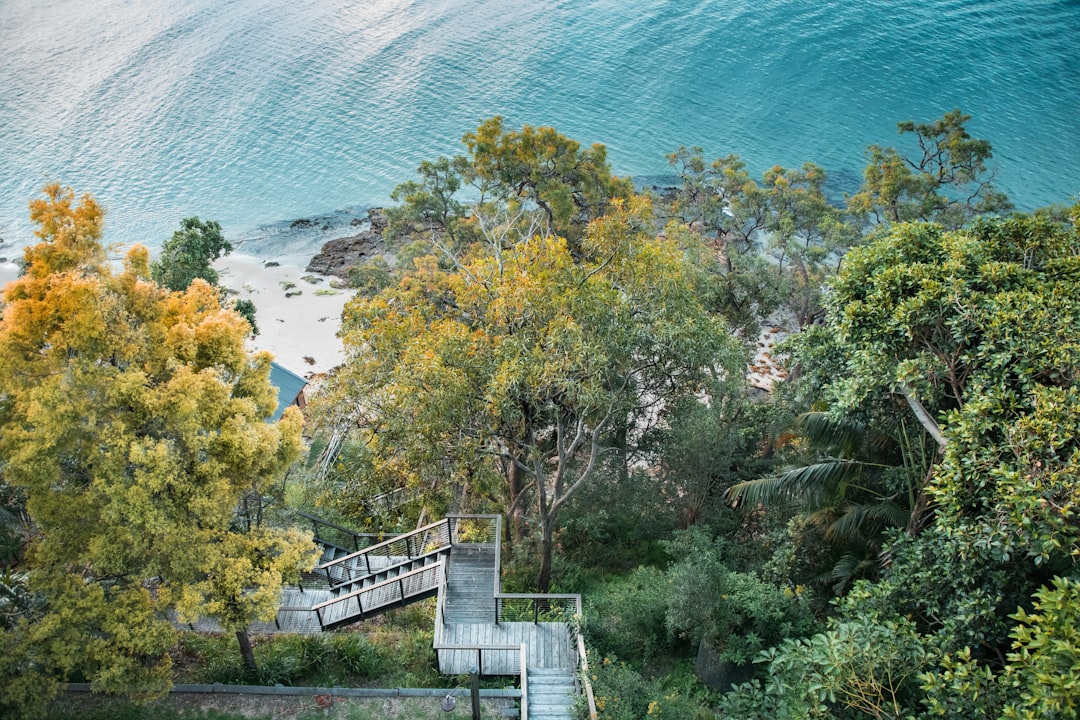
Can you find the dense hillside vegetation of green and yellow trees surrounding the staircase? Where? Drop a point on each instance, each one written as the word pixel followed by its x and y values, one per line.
pixel 889 534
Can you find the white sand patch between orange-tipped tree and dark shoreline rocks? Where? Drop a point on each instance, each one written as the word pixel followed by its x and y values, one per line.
pixel 300 331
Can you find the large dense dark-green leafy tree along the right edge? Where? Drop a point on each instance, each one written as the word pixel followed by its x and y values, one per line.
pixel 978 331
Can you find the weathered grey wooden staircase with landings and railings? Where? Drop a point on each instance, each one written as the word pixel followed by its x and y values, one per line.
pixel 478 628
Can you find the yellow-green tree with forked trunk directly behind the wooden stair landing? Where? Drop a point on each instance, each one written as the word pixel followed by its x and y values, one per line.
pixel 518 366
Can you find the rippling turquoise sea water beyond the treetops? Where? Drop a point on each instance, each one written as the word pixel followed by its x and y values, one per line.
pixel 258 113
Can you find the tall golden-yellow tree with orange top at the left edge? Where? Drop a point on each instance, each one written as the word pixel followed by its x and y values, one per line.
pixel 133 420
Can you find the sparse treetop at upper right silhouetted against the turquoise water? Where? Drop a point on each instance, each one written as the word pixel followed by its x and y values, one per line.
pixel 946 182
